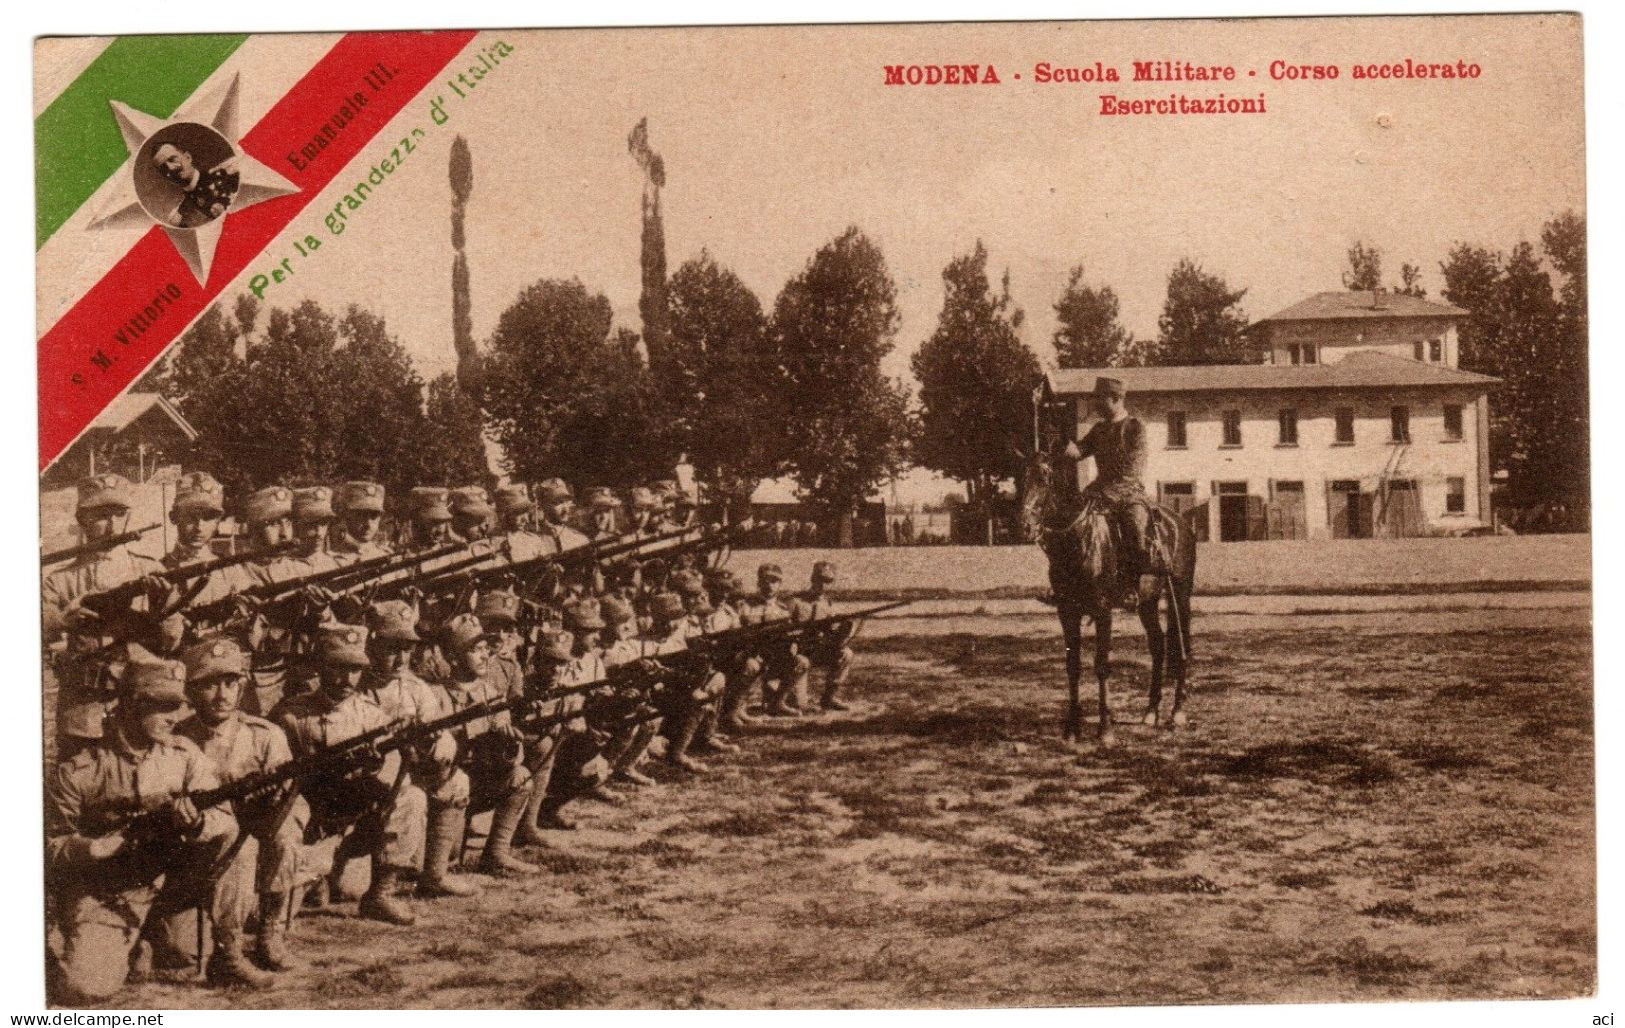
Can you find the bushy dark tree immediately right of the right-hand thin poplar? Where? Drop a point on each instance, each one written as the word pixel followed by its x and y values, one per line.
pixel 717 381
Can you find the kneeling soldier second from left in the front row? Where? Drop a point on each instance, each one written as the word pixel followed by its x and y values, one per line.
pixel 256 891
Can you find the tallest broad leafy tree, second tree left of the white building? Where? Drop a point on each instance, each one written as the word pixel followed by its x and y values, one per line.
pixel 846 425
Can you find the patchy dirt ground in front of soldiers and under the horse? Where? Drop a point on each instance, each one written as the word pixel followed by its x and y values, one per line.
pixel 1356 813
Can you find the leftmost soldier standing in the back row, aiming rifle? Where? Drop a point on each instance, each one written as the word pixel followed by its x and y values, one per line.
pixel 85 667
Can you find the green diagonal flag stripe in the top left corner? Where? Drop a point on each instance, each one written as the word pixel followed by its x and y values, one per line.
pixel 77 144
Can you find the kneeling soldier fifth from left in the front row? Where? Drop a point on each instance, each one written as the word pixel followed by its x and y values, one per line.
pixel 492 749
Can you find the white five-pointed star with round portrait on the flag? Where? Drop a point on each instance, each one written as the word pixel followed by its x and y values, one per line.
pixel 188 175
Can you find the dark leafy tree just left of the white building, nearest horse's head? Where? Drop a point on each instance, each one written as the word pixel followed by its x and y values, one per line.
pixel 976 384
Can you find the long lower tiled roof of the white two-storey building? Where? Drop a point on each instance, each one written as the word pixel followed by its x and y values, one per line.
pixel 1363 369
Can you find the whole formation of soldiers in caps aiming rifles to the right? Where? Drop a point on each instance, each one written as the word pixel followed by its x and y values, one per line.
pixel 495 673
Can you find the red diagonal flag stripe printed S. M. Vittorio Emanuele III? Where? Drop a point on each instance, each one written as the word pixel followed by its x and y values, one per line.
pixel 66 408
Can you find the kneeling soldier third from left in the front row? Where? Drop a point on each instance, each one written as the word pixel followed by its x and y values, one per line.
pixel 378 805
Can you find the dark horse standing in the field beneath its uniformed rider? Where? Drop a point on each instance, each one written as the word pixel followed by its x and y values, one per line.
pixel 1083 551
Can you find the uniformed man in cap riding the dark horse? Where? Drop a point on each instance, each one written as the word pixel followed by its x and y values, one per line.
pixel 1117 443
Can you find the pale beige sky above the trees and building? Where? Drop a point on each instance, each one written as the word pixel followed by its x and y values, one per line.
pixel 776 140
